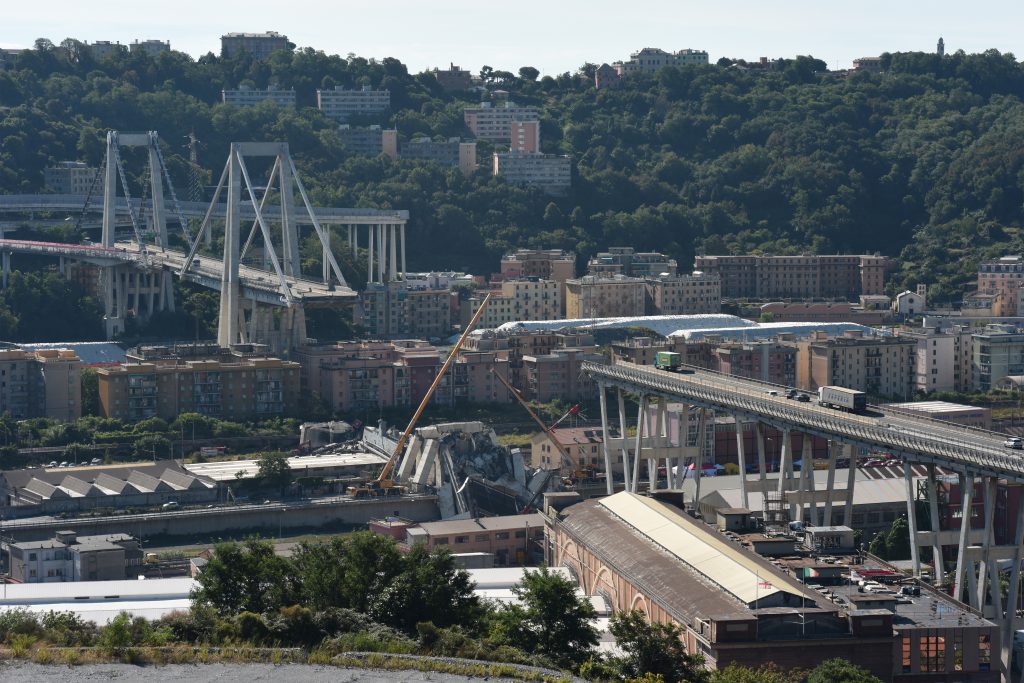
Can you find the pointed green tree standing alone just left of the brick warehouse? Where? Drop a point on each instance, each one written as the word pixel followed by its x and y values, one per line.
pixel 552 621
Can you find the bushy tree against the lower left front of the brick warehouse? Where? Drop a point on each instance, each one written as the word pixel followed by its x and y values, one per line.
pixel 654 650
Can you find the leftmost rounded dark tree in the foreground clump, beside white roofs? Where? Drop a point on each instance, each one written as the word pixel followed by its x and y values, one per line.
pixel 245 577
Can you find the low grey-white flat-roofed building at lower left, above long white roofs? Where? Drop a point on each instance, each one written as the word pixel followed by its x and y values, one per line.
pixel 70 558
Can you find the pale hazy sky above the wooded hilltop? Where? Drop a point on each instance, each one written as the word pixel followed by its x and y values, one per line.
pixel 554 36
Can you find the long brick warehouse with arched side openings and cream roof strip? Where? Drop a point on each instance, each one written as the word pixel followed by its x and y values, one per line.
pixel 737 608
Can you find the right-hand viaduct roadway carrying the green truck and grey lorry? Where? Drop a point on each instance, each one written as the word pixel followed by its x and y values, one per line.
pixel 973 451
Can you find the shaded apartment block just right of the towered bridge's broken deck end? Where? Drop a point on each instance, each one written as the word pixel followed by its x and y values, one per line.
pixel 397 310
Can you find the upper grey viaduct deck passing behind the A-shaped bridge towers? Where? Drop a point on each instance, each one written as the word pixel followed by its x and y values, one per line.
pixel 75 203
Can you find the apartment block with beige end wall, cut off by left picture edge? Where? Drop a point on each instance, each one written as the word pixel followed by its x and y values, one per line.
pixel 46 383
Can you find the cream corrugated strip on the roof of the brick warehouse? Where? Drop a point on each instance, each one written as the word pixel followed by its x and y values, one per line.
pixel 721 562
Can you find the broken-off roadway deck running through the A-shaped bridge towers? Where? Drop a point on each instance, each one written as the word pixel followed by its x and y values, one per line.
pixel 258 285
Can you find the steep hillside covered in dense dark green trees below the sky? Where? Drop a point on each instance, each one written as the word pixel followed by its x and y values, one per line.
pixel 922 161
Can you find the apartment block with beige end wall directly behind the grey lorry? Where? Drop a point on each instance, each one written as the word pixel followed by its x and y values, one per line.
pixel 880 366
